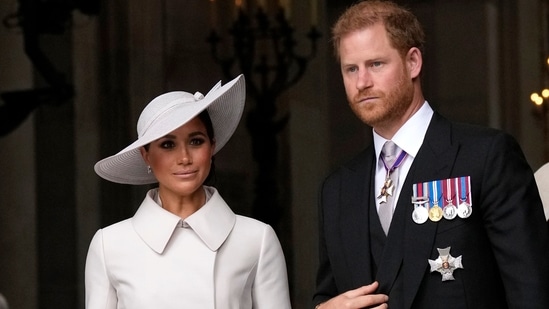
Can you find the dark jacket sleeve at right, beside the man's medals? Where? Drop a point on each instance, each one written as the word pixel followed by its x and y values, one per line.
pixel 515 223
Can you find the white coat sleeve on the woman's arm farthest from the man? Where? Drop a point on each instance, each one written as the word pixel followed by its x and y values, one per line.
pixel 100 294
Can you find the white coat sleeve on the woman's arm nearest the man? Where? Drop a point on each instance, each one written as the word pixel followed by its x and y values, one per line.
pixel 270 287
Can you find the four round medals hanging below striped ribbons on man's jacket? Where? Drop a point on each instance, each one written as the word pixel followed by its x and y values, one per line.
pixel 435 213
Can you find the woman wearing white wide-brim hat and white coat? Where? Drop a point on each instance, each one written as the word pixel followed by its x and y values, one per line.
pixel 184 247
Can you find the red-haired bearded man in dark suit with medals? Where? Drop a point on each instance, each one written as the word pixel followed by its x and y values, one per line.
pixel 455 221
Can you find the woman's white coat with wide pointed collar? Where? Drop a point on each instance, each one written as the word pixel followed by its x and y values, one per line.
pixel 212 259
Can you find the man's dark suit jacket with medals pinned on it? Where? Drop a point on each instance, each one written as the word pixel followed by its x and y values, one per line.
pixel 504 244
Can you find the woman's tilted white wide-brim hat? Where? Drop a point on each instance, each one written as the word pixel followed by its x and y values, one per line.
pixel 167 112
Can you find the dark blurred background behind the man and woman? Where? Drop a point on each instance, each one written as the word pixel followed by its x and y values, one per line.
pixel 75 75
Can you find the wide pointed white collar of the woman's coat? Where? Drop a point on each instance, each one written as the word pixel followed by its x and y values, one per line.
pixel 213 222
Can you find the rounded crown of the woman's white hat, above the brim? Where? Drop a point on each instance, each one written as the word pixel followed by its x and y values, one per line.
pixel 161 105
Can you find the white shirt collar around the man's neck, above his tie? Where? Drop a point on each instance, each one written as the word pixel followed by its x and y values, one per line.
pixel 410 136
